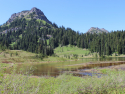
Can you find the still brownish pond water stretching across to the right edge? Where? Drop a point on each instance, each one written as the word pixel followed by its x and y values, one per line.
pixel 56 68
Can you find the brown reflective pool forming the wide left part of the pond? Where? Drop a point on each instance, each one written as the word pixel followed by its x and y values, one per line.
pixel 34 69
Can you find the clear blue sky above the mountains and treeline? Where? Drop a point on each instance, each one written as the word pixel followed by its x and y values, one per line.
pixel 80 15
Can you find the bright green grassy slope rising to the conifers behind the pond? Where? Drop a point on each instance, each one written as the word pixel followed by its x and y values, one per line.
pixel 65 51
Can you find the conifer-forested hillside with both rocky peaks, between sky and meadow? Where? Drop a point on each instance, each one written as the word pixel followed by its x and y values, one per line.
pixel 31 31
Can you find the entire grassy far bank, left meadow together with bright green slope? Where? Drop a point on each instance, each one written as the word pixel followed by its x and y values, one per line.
pixel 61 52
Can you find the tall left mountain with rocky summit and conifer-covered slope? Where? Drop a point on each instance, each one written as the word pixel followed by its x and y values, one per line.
pixel 29 31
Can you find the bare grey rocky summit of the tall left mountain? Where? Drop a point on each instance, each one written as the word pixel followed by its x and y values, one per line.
pixel 34 12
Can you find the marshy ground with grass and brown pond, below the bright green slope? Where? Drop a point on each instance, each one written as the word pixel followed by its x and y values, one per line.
pixel 18 67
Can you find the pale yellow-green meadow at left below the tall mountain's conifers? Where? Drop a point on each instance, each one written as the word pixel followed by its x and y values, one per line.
pixel 18 56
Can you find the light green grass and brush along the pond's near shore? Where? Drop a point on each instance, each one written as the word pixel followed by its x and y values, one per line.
pixel 114 83
